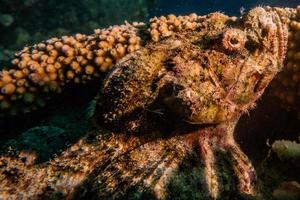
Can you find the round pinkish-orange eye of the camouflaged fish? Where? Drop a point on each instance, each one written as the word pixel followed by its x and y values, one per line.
pixel 234 39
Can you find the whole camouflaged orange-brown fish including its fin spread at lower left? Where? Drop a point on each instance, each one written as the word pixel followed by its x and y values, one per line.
pixel 209 74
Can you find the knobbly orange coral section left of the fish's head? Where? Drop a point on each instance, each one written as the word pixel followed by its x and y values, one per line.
pixel 50 65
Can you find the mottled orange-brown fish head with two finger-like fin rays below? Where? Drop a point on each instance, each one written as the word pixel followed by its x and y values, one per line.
pixel 210 76
